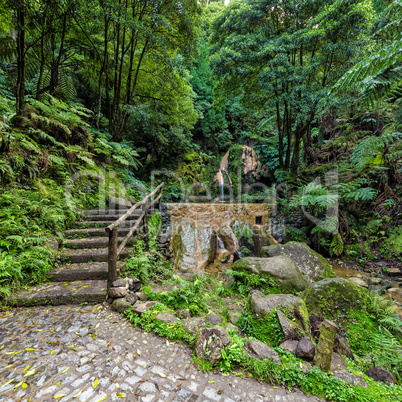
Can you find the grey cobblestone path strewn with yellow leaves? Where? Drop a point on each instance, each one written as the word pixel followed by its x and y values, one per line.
pixel 89 353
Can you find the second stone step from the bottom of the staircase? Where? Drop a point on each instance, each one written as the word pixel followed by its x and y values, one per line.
pixel 82 272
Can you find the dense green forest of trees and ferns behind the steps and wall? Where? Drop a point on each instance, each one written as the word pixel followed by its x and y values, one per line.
pixel 134 86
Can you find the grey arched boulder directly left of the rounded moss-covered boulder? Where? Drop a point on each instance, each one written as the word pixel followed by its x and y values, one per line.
pixel 290 305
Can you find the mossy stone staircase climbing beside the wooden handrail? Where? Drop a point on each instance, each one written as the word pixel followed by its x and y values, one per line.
pixel 81 275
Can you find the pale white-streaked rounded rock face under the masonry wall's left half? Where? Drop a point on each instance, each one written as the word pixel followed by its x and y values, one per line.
pixel 194 247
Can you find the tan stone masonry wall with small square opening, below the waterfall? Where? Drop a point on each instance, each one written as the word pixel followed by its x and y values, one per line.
pixel 215 215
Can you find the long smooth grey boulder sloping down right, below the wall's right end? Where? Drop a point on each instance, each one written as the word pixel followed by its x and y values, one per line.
pixel 281 269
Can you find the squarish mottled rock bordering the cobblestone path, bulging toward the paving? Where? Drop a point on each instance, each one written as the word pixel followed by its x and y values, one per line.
pixel 209 345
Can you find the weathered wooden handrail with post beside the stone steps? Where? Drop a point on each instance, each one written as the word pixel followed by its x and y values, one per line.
pixel 113 229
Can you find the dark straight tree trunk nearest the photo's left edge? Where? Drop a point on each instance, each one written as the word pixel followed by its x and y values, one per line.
pixel 20 92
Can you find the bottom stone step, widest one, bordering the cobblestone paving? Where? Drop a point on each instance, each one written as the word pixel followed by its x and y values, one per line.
pixel 57 293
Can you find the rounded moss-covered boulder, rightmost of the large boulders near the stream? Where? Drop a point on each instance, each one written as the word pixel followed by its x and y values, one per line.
pixel 334 297
